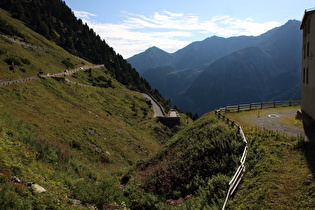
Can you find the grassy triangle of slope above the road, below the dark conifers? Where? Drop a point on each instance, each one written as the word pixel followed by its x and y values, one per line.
pixel 49 60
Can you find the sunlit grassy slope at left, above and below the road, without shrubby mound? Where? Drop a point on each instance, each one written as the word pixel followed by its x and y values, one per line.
pixel 74 141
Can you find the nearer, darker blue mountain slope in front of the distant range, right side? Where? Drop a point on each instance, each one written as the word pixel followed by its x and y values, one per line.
pixel 259 73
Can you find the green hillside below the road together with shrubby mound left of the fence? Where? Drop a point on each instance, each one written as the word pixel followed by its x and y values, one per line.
pixel 62 143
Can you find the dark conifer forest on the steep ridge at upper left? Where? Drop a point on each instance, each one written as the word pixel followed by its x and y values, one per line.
pixel 55 20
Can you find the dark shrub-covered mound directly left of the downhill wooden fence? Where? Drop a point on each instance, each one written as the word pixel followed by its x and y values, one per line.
pixel 193 169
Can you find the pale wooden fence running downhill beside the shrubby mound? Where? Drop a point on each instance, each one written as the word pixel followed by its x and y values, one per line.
pixel 236 179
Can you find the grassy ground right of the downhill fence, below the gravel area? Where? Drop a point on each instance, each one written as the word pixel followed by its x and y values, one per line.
pixel 279 170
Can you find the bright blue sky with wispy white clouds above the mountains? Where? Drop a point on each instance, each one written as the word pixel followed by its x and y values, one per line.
pixel 132 26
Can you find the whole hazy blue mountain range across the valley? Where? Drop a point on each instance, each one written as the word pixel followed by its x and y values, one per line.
pixel 224 71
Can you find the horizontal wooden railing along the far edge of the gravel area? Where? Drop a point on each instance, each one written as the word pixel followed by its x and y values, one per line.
pixel 260 105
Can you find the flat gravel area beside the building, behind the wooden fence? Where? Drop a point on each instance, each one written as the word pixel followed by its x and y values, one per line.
pixel 281 120
